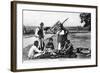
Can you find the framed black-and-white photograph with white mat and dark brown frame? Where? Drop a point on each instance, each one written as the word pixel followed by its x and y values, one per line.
pixel 49 36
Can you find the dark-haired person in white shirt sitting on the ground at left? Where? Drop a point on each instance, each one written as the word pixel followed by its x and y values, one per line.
pixel 34 51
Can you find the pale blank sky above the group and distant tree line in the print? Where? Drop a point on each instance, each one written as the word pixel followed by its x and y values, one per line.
pixel 49 18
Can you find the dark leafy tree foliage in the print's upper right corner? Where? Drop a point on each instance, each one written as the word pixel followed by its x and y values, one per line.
pixel 86 17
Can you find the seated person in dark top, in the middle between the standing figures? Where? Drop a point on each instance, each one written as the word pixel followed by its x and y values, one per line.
pixel 50 47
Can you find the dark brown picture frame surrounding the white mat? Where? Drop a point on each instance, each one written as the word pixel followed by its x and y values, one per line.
pixel 14 35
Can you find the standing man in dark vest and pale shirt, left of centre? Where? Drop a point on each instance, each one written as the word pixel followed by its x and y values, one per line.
pixel 41 36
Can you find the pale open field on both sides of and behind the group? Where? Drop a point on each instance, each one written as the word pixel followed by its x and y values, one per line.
pixel 78 39
